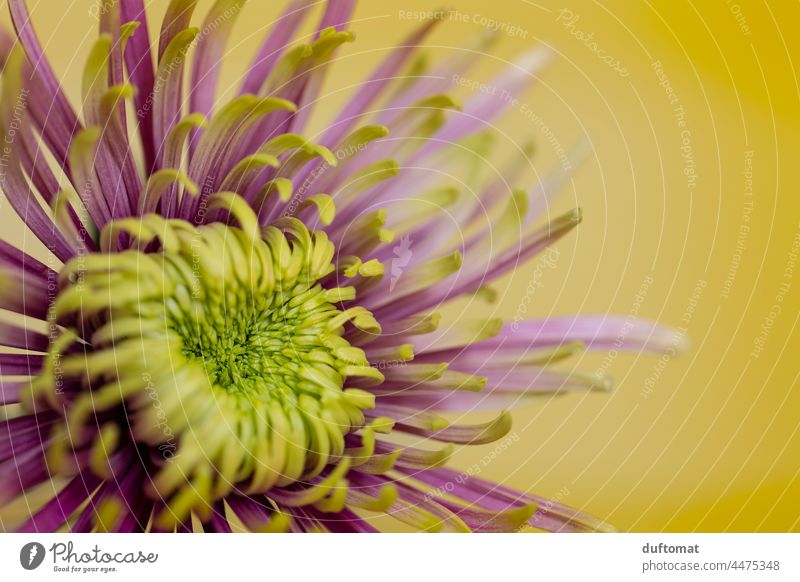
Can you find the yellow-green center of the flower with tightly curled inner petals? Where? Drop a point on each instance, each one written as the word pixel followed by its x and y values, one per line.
pixel 221 348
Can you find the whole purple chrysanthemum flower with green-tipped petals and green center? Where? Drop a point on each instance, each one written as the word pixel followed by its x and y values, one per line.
pixel 237 324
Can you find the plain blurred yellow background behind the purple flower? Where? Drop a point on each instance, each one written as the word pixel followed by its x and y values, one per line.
pixel 691 218
